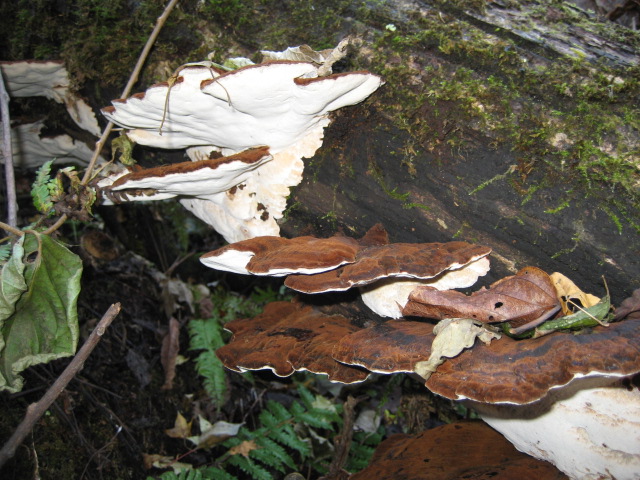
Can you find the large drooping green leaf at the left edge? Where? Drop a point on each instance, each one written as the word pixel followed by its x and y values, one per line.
pixel 44 326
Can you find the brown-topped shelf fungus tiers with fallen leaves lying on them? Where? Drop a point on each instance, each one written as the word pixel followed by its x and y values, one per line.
pixel 557 392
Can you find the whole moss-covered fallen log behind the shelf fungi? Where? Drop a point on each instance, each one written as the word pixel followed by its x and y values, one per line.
pixel 512 124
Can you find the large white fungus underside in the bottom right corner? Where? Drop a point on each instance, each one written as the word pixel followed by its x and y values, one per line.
pixel 589 429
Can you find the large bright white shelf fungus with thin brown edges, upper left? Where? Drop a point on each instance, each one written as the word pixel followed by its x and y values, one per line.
pixel 282 106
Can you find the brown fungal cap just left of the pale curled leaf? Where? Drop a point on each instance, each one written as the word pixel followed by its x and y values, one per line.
pixel 390 347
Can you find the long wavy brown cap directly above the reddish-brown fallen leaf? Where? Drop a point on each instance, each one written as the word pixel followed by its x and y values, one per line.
pixel 406 260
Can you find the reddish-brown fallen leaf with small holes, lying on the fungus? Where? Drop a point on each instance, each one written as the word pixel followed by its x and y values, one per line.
pixel 525 300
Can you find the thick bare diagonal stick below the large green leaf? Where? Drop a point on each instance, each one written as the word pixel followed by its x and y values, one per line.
pixel 36 410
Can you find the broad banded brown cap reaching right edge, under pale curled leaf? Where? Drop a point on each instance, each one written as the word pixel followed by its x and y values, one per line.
pixel 523 371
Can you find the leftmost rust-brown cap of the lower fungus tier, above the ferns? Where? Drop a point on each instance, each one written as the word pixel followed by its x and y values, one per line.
pixel 289 337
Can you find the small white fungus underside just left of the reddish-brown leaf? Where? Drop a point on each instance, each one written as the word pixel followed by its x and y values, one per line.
pixel 388 297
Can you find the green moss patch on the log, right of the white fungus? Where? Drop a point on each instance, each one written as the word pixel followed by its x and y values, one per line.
pixel 569 123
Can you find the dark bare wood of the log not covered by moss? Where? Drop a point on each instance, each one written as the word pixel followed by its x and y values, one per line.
pixel 368 170
